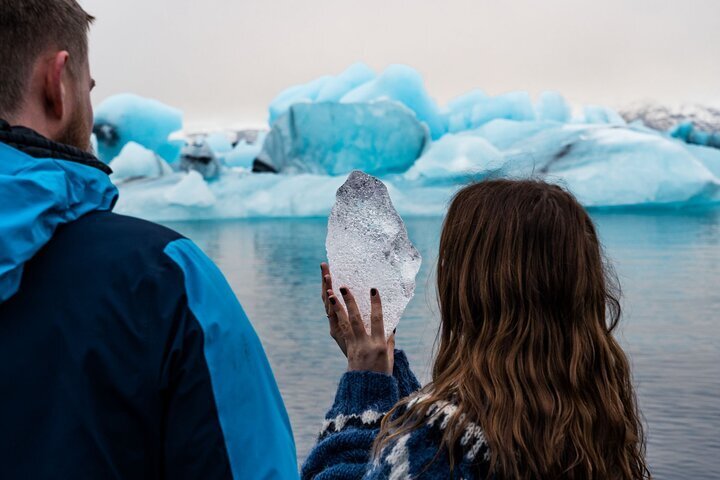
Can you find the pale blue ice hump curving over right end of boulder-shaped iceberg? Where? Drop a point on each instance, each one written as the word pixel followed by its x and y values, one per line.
pixel 405 85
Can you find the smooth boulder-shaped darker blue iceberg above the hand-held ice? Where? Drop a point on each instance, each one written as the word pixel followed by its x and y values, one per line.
pixel 336 138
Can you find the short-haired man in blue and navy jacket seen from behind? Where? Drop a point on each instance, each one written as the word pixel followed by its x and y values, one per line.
pixel 123 351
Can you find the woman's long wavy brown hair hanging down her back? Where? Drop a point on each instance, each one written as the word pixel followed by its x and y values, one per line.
pixel 526 348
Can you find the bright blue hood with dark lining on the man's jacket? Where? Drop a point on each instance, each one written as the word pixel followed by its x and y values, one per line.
pixel 43 185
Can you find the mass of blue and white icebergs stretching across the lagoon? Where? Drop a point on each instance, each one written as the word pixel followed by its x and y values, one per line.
pixel 388 125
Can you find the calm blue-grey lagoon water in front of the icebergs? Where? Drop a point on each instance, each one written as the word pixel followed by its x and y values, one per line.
pixel 668 263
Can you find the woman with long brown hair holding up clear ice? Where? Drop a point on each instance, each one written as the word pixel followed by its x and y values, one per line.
pixel 528 381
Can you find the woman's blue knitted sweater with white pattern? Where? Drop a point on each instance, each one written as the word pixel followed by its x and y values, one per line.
pixel 344 448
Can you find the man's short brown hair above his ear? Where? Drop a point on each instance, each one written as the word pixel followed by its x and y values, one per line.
pixel 28 28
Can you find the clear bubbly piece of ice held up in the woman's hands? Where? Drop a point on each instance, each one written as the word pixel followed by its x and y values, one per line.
pixel 368 247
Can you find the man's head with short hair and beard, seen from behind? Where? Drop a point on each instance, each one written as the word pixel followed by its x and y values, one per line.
pixel 45 80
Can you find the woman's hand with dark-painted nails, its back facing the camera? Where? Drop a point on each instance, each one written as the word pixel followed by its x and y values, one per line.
pixel 364 352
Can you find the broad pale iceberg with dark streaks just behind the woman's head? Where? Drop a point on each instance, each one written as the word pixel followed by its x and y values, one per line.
pixel 611 166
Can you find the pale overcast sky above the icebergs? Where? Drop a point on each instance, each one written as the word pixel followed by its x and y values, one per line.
pixel 224 60
